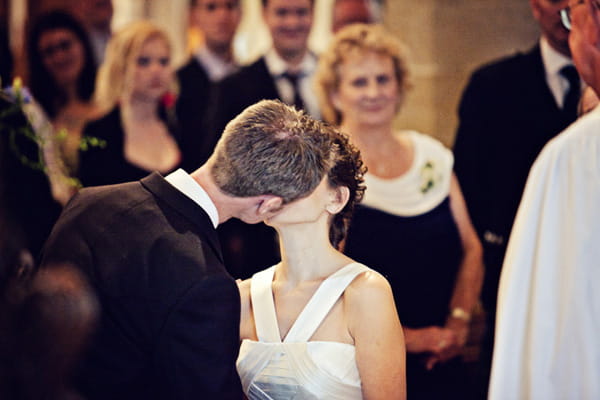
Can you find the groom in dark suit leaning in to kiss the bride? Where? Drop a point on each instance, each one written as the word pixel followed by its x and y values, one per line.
pixel 169 325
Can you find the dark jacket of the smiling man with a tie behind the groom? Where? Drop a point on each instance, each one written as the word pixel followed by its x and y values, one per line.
pixel 247 248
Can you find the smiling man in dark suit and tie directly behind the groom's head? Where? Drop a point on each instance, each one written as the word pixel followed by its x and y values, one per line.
pixel 284 72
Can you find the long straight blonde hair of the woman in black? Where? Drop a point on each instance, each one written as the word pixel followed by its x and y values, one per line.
pixel 122 51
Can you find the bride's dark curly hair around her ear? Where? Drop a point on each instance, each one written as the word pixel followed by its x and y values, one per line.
pixel 347 169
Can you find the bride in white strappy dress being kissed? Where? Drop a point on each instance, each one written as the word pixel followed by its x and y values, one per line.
pixel 319 325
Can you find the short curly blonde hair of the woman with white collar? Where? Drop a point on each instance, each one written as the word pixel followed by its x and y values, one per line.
pixel 348 42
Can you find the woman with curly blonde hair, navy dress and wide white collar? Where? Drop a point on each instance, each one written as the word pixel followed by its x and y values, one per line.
pixel 413 226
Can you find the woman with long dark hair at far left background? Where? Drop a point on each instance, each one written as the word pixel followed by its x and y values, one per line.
pixel 62 74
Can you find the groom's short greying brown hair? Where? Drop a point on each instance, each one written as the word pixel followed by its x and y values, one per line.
pixel 272 148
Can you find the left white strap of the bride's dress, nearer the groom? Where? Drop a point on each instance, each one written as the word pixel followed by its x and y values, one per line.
pixel 263 306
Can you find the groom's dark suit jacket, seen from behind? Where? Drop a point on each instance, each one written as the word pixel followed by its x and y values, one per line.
pixel 169 326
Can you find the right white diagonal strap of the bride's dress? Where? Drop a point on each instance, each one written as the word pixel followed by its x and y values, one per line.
pixel 322 301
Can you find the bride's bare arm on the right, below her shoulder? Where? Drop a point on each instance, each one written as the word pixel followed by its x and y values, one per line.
pixel 375 327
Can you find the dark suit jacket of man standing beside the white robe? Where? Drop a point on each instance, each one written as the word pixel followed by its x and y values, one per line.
pixel 507 114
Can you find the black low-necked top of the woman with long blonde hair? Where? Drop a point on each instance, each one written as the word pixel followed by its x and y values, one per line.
pixel 107 165
